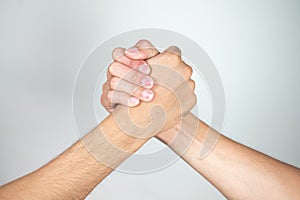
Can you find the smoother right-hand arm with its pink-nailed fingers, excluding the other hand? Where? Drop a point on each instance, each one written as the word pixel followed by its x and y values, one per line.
pixel 237 171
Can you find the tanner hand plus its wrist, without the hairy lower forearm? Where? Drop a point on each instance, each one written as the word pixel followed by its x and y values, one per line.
pixel 174 98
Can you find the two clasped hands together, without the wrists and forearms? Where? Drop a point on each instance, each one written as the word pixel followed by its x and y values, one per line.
pixel 146 91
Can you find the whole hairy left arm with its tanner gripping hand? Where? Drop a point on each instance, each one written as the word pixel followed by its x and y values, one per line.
pixel 75 173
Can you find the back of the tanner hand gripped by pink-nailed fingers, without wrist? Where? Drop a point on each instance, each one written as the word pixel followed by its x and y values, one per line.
pixel 174 98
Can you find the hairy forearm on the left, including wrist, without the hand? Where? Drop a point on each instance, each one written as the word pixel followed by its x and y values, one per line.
pixel 74 173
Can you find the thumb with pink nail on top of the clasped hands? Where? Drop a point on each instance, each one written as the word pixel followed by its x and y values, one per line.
pixel 143 49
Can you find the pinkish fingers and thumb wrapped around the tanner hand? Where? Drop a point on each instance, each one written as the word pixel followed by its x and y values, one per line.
pixel 137 86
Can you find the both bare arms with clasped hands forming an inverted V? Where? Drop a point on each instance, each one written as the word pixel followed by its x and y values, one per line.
pixel 149 94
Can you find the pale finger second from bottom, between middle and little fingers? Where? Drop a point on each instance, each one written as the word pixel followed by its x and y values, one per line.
pixel 121 85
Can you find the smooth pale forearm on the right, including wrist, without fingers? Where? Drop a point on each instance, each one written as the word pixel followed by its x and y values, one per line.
pixel 238 171
